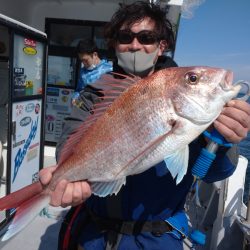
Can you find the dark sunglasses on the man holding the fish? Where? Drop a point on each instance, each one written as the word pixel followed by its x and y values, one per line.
pixel 145 37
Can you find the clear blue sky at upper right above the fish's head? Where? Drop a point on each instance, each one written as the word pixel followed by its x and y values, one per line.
pixel 217 35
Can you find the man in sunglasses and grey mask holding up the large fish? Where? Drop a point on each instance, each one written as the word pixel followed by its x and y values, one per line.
pixel 147 213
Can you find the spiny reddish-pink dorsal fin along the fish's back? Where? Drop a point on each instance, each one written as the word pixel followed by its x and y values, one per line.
pixel 109 88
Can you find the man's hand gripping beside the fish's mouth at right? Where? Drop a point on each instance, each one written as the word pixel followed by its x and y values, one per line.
pixel 234 121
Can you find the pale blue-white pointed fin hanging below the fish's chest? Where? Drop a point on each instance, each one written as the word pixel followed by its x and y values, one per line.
pixel 177 163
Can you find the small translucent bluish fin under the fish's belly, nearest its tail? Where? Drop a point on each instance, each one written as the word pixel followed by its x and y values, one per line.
pixel 103 189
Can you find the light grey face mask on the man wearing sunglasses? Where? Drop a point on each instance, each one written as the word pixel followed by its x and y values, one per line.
pixel 138 63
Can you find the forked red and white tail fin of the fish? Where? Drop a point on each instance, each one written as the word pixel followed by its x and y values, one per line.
pixel 28 201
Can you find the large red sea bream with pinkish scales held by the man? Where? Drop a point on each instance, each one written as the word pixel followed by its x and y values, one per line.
pixel 151 120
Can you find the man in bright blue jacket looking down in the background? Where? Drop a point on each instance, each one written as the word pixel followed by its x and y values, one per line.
pixel 92 66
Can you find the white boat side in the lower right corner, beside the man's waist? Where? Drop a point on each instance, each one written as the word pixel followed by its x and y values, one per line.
pixel 221 213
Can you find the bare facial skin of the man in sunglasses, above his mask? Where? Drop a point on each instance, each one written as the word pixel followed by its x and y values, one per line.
pixel 146 24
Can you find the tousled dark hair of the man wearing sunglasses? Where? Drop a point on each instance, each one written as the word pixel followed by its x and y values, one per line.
pixel 130 14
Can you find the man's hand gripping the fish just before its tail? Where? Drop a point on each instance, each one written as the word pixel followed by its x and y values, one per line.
pixel 65 193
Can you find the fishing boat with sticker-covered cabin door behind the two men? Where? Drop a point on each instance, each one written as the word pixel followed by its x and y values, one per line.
pixel 47 31
